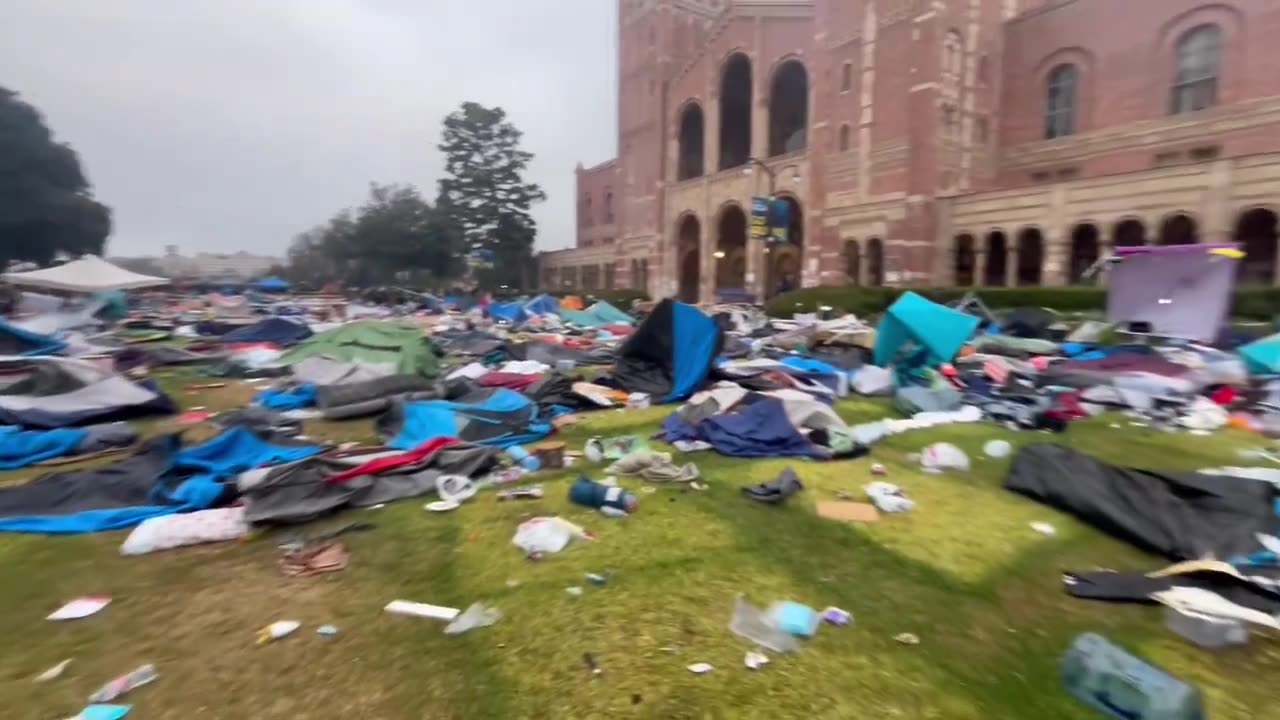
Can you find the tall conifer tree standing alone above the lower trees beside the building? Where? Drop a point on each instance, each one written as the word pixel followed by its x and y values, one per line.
pixel 484 192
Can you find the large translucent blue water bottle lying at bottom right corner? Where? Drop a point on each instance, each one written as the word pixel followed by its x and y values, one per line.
pixel 1114 682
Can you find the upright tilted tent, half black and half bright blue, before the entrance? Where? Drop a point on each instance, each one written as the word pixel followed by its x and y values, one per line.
pixel 671 353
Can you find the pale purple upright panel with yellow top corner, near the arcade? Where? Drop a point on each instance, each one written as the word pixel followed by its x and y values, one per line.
pixel 1176 291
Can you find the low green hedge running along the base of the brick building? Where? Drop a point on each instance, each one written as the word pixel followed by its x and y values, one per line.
pixel 1247 303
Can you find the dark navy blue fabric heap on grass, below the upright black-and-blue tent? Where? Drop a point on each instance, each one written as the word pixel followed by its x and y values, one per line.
pixel 760 430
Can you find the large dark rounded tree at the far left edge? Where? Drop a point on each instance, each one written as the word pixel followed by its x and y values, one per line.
pixel 47 208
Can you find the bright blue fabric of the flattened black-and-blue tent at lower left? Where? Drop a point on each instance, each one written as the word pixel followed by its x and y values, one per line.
pixel 213 464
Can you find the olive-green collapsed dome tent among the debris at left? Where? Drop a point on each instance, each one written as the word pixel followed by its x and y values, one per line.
pixel 373 343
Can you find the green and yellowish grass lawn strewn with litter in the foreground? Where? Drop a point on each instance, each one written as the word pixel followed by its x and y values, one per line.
pixel 964 572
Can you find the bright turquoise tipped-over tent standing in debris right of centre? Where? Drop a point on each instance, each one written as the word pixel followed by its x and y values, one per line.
pixel 936 331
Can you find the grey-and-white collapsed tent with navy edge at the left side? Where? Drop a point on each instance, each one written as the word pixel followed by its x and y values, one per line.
pixel 57 393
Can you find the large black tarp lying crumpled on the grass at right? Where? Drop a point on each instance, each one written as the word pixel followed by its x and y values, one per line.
pixel 1178 516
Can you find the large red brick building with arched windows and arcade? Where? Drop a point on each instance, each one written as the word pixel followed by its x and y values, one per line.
pixel 929 142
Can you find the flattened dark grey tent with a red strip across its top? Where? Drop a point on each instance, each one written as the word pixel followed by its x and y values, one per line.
pixel 304 491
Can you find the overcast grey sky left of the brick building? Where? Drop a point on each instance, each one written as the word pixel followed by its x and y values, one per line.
pixel 235 125
